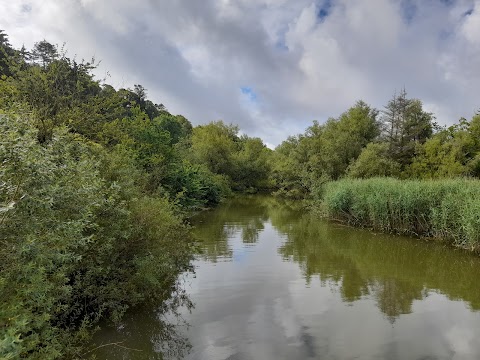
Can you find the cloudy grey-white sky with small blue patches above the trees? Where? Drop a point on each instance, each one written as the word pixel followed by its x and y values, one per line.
pixel 270 66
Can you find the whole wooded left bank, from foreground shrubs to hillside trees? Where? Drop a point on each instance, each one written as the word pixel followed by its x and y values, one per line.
pixel 95 184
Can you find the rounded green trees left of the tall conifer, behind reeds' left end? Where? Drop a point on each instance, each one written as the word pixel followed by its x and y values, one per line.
pixel 324 152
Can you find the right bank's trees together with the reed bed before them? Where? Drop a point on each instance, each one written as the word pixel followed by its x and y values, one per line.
pixel 393 170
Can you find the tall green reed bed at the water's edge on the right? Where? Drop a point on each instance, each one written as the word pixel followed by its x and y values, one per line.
pixel 444 209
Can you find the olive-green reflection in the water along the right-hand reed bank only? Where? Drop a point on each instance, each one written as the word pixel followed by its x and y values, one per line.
pixel 395 271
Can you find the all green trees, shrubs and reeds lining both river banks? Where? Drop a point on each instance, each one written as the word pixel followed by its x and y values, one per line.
pixel 97 184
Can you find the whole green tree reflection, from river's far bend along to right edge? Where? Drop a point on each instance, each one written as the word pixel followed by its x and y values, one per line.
pixel 395 271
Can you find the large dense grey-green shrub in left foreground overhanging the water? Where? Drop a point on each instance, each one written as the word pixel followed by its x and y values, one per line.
pixel 75 248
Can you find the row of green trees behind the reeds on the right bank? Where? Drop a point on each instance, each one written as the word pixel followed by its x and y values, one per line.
pixel 401 141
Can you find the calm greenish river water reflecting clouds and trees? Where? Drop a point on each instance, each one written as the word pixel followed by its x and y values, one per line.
pixel 273 282
